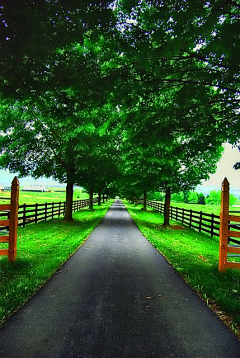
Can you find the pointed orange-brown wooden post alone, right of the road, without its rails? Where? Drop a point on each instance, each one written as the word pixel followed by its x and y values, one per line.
pixel 223 232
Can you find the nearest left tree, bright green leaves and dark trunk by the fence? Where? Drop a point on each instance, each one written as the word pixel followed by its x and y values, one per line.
pixel 64 132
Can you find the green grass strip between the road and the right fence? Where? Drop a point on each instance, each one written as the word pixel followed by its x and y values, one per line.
pixel 195 257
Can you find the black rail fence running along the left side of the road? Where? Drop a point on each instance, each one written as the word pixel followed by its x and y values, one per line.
pixel 33 213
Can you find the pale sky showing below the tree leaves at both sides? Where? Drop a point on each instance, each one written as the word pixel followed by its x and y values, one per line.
pixel 224 169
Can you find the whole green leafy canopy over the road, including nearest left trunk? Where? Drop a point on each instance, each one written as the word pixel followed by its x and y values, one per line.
pixel 130 95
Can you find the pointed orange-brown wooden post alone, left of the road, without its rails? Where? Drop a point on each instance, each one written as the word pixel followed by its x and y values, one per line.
pixel 13 224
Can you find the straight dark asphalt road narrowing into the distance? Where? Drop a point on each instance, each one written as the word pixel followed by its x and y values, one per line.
pixel 116 297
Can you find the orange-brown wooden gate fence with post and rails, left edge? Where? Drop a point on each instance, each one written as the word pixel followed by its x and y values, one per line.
pixel 9 220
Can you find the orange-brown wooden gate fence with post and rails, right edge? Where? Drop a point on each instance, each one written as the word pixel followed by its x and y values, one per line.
pixel 229 243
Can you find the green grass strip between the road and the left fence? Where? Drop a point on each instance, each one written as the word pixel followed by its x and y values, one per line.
pixel 41 249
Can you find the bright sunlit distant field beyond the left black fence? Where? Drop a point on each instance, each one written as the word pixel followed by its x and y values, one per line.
pixel 38 197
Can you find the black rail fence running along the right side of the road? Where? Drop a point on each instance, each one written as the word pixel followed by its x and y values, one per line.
pixel 197 220
